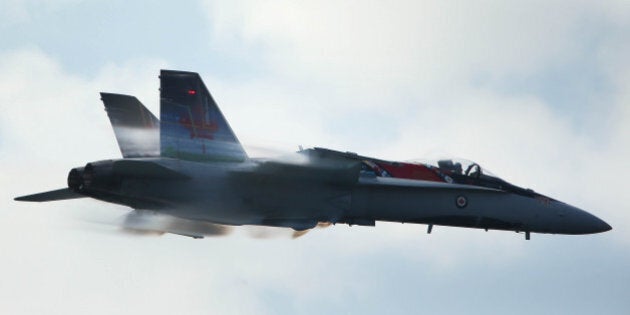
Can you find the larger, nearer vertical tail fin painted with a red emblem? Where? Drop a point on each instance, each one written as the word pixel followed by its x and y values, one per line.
pixel 192 126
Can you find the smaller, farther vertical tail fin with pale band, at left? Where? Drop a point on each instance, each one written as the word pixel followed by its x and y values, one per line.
pixel 135 127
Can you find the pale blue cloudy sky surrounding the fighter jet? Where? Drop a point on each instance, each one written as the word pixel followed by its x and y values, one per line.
pixel 538 92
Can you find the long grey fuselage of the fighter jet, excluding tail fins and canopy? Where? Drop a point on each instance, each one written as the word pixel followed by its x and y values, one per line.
pixel 247 194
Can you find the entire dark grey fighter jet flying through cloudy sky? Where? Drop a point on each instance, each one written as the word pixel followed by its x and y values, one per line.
pixel 190 165
